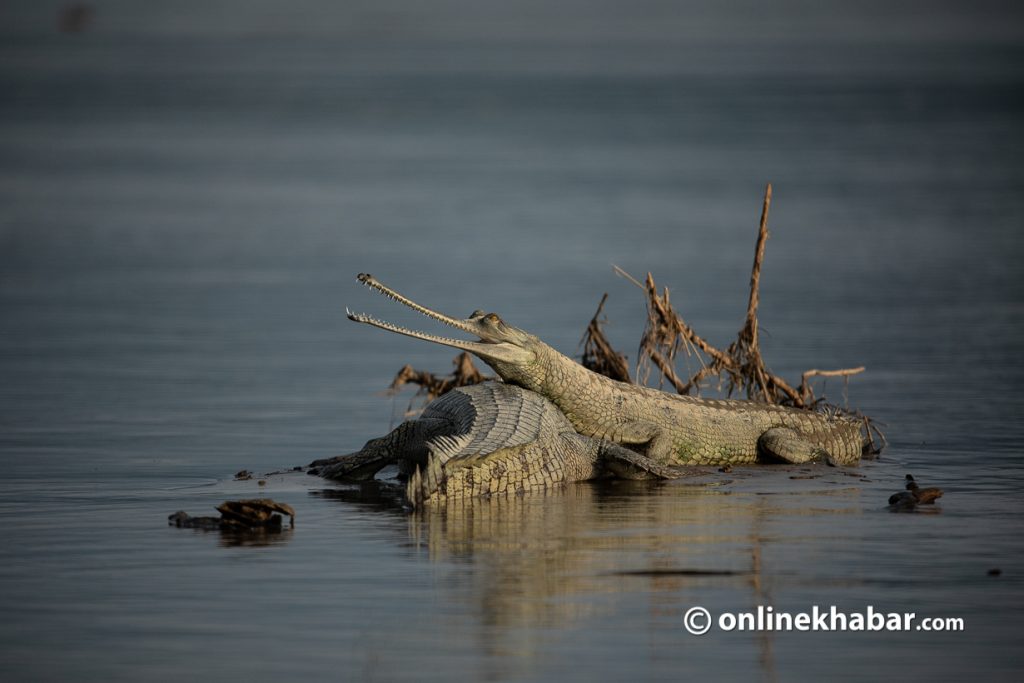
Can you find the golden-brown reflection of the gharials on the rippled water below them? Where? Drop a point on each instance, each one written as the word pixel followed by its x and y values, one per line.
pixel 525 566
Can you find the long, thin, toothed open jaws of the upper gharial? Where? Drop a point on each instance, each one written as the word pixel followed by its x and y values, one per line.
pixel 490 347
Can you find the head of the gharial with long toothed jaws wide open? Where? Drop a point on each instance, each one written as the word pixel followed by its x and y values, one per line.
pixel 506 349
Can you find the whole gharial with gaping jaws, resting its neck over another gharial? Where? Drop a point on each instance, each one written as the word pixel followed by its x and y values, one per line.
pixel 668 429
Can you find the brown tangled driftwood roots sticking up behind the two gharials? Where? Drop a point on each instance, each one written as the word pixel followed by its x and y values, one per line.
pixel 740 370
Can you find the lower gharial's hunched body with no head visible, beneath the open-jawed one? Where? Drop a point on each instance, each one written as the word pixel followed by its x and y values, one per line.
pixel 485 440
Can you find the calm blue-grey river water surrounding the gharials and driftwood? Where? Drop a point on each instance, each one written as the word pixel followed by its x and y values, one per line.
pixel 187 196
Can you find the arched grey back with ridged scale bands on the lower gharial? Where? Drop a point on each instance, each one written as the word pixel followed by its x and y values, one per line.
pixel 491 416
